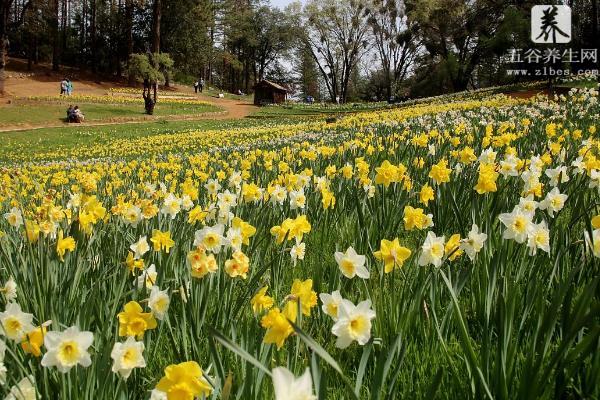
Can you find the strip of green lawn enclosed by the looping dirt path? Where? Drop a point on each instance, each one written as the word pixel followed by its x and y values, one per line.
pixel 28 112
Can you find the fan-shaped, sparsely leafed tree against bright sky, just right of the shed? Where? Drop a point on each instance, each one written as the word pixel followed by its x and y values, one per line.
pixel 336 34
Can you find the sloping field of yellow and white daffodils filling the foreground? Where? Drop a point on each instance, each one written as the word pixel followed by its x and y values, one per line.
pixel 447 249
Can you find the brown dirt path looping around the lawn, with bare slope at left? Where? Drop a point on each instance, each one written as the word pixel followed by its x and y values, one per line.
pixel 43 82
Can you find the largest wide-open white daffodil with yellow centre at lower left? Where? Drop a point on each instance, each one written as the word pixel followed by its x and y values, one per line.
pixel 67 349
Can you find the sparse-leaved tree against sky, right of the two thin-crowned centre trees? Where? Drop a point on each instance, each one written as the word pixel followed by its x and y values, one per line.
pixel 395 41
